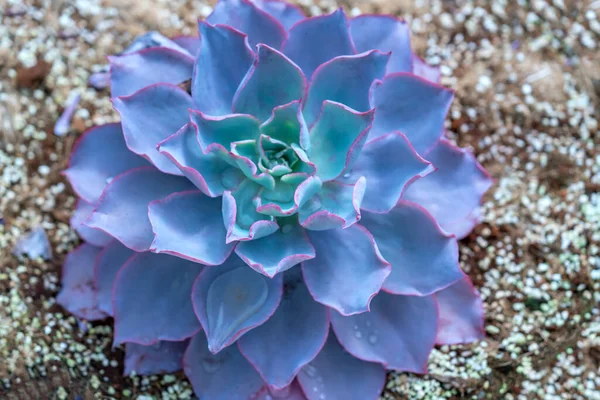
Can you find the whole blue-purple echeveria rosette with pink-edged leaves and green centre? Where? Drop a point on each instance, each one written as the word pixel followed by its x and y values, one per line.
pixel 287 226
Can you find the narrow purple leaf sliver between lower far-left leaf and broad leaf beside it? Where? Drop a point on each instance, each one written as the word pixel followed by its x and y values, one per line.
pixel 109 262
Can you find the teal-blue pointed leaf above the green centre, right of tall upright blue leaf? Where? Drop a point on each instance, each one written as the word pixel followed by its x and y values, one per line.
pixel 273 80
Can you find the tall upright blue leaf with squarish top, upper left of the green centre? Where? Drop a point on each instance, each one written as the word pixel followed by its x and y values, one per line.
pixel 223 60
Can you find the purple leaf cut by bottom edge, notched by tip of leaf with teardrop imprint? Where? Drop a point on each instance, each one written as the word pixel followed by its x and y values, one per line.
pixel 226 375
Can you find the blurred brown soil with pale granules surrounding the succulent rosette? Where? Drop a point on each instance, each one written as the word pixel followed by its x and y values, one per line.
pixel 527 80
